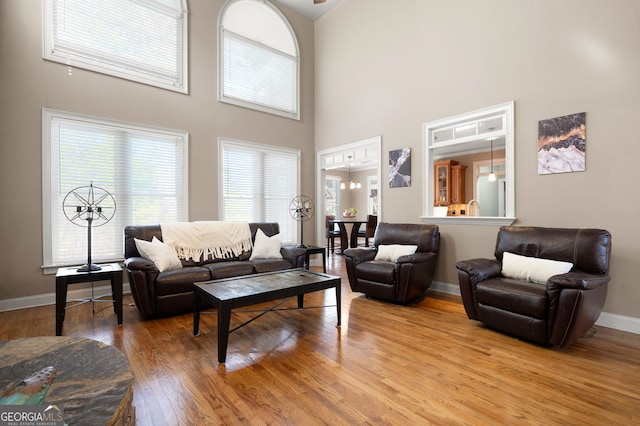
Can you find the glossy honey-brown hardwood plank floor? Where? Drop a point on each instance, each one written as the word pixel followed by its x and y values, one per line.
pixel 420 364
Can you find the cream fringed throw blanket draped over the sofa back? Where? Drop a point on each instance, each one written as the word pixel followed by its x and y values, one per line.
pixel 199 240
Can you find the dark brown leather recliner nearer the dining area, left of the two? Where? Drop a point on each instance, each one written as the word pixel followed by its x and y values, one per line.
pixel 403 280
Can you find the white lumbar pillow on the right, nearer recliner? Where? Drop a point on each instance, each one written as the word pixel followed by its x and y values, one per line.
pixel 532 269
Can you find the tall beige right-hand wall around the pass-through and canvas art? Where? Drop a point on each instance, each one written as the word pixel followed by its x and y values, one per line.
pixel 385 67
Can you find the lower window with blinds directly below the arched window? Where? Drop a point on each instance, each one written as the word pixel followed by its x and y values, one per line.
pixel 258 183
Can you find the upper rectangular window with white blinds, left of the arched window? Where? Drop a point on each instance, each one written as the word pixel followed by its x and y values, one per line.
pixel 140 40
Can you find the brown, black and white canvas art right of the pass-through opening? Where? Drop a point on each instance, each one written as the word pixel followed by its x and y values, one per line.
pixel 562 144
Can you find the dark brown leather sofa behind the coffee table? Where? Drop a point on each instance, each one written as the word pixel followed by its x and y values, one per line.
pixel 164 293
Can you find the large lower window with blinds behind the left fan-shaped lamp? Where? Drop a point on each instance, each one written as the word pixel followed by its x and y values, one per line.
pixel 145 169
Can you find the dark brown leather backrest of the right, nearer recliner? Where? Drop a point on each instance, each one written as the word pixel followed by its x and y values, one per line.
pixel 588 249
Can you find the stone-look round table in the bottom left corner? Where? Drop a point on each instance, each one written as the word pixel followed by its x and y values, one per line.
pixel 93 381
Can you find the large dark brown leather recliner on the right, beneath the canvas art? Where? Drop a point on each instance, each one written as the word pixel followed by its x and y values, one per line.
pixel 555 313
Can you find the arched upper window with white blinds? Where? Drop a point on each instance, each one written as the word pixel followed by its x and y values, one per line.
pixel 259 59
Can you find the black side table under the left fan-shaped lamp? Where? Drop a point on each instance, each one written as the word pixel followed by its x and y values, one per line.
pixel 65 276
